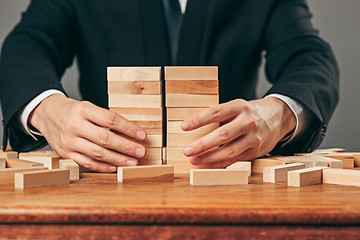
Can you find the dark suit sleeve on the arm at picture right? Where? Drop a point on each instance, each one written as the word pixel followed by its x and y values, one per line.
pixel 301 66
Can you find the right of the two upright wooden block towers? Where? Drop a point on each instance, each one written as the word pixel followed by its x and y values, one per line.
pixel 189 90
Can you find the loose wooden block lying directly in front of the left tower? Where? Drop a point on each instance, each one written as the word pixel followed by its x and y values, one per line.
pixel 150 173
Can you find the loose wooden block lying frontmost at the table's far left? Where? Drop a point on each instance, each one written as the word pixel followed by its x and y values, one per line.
pixel 42 178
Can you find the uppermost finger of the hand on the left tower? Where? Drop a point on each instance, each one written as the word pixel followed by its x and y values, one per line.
pixel 111 120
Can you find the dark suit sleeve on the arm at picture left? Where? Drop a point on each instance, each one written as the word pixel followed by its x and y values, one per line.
pixel 33 59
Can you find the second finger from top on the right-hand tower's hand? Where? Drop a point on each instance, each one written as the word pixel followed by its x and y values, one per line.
pixel 220 136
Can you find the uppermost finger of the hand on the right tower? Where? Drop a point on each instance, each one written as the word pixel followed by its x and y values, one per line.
pixel 218 113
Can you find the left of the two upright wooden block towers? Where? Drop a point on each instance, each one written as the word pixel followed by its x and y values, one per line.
pixel 135 94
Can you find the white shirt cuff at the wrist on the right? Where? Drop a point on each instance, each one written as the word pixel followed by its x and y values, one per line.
pixel 302 115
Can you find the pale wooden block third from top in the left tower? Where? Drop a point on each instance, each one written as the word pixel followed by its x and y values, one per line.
pixel 133 100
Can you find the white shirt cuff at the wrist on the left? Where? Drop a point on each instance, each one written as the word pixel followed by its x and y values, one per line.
pixel 26 111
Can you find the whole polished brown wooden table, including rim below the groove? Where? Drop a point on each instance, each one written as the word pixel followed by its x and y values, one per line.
pixel 97 206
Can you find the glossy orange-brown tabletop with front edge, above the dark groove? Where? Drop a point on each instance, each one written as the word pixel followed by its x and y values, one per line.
pixel 99 198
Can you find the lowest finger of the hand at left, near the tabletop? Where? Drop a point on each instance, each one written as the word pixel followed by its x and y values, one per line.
pixel 91 164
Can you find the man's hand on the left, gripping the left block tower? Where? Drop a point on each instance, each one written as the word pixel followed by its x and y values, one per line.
pixel 79 130
